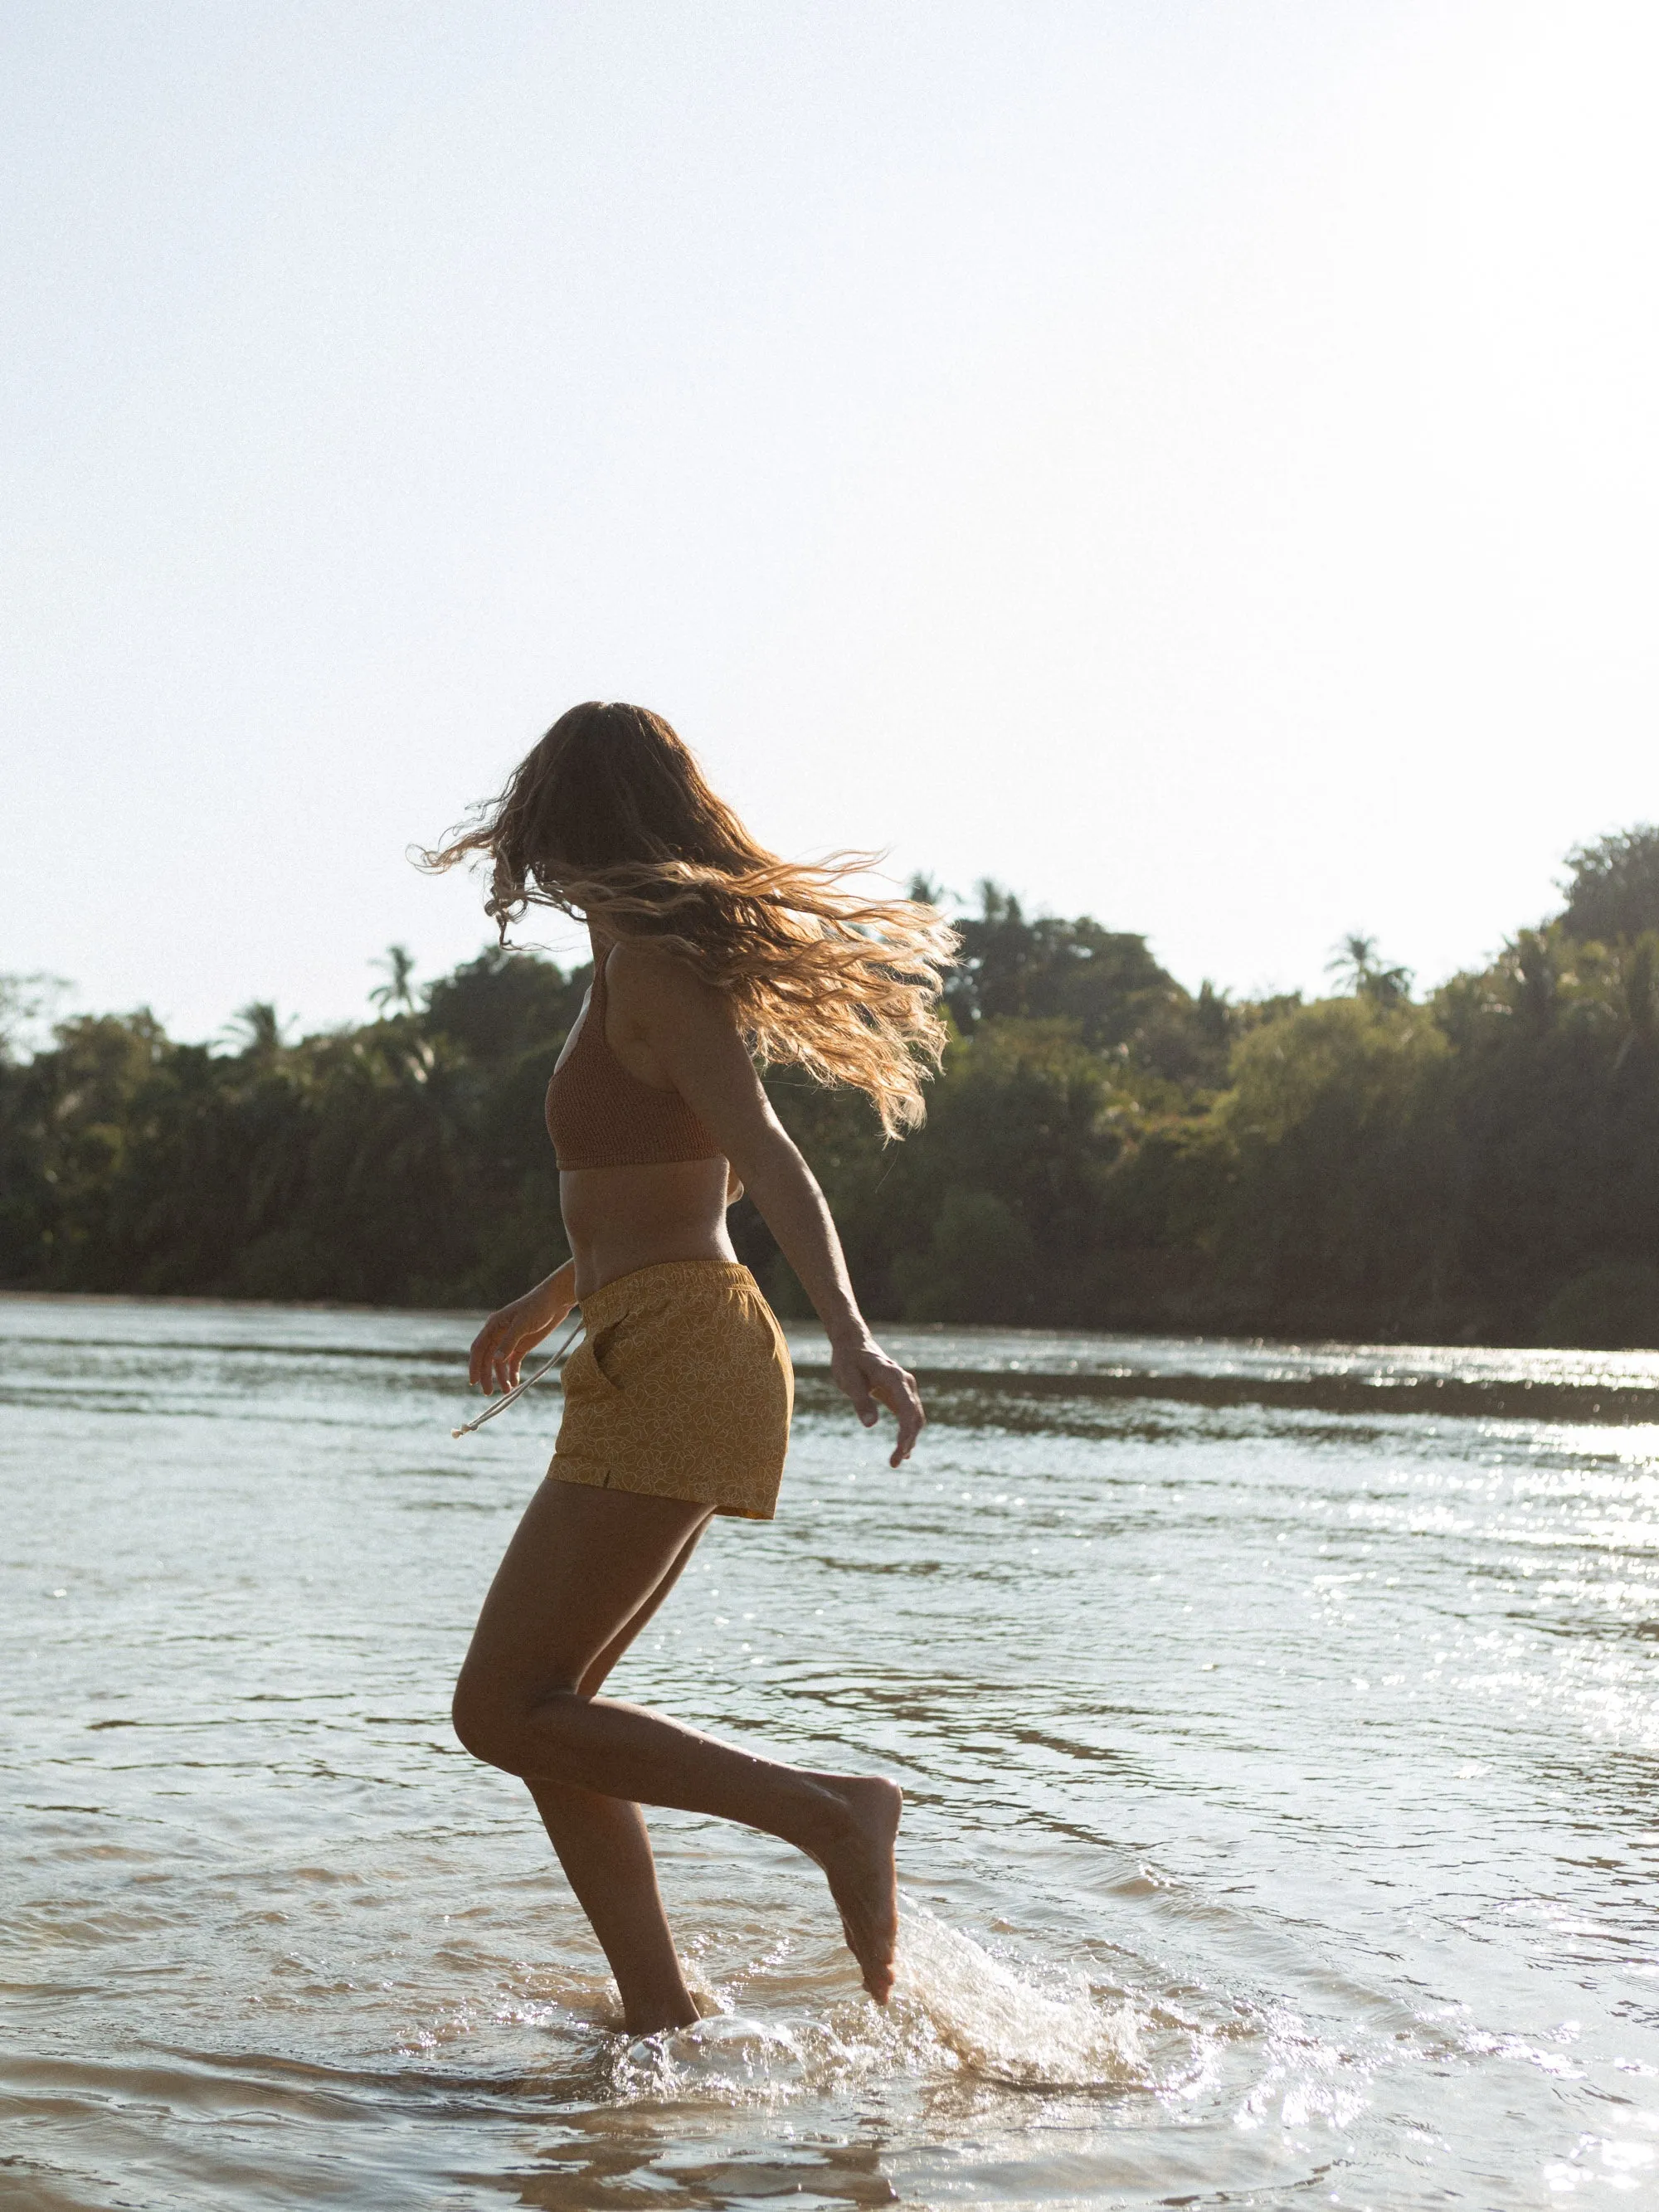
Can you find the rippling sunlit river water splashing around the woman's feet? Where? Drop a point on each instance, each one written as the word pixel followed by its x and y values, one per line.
pixel 1280 1731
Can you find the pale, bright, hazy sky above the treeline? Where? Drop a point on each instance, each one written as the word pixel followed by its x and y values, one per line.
pixel 1193 463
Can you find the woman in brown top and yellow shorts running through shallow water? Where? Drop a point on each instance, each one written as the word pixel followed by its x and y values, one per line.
pixel 678 1401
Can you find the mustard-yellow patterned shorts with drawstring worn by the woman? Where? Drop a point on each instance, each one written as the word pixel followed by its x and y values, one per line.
pixel 680 1388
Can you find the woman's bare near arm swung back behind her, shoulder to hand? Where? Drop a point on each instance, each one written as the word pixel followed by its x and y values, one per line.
pixel 691 1032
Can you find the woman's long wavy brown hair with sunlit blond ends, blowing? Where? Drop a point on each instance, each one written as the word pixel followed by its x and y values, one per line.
pixel 609 820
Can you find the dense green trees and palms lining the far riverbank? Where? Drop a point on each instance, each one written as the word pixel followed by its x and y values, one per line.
pixel 1103 1149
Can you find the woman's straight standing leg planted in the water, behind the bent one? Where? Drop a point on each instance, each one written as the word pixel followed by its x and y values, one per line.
pixel 605 1850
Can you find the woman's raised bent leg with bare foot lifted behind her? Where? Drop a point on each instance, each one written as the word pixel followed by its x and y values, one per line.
pixel 576 1574
